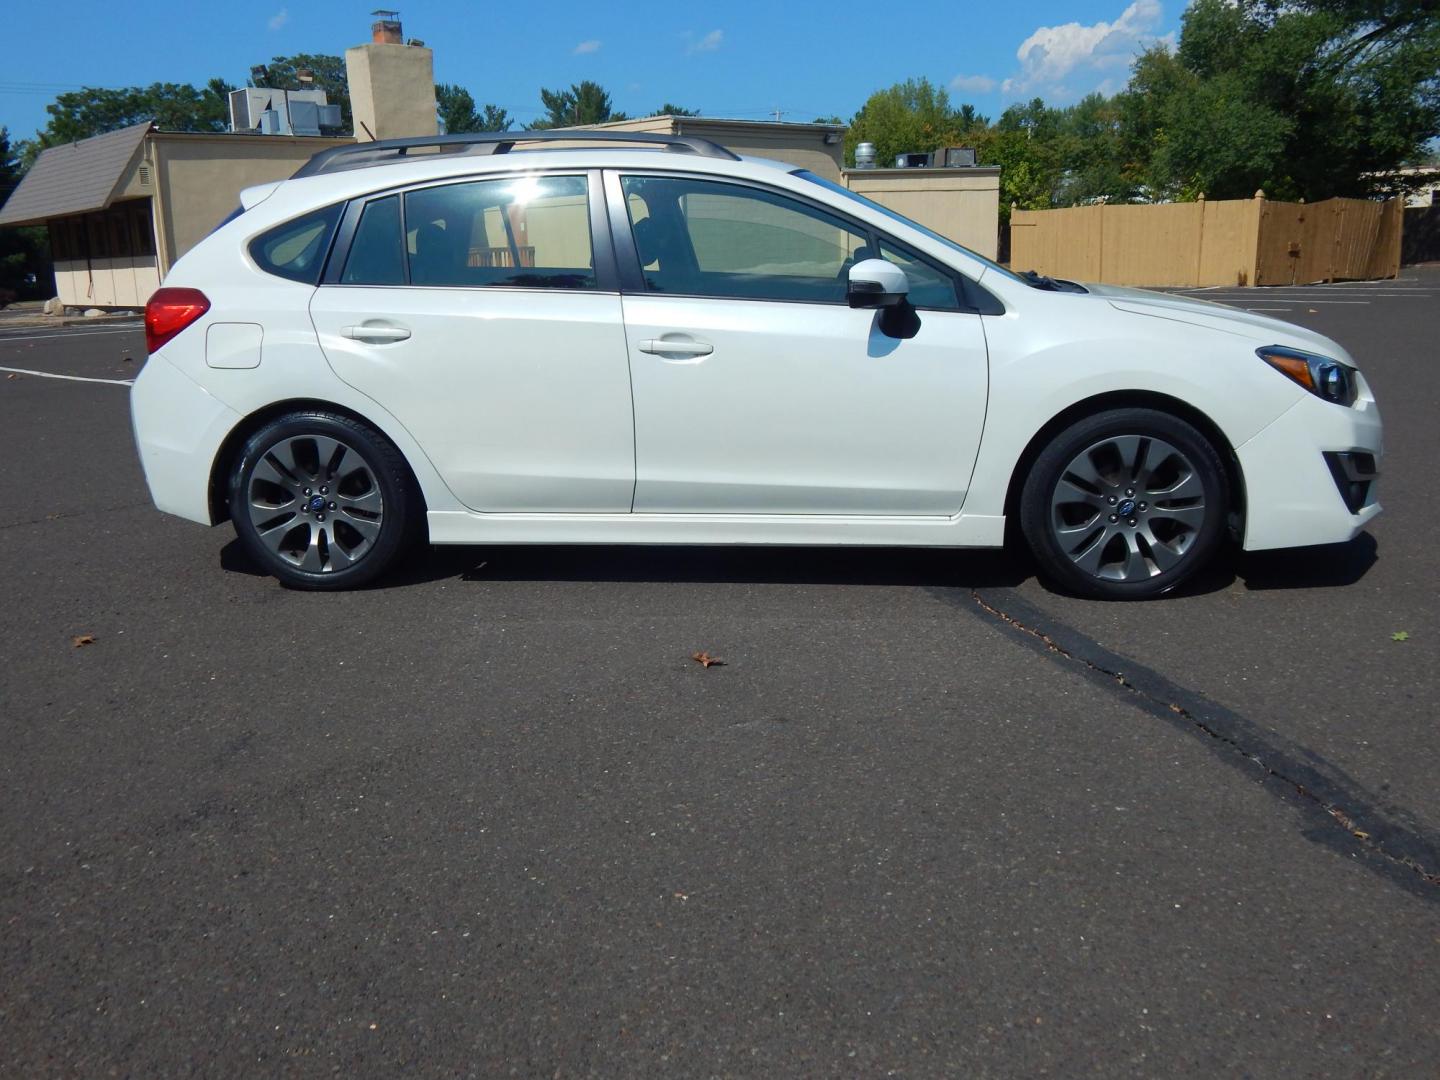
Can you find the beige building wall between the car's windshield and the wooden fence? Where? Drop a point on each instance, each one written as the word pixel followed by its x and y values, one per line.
pixel 960 204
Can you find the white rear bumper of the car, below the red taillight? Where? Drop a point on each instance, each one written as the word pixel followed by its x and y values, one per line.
pixel 179 430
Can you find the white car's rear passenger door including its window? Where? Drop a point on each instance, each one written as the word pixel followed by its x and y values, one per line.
pixel 480 318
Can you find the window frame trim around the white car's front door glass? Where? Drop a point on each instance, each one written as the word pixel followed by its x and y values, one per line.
pixel 971 297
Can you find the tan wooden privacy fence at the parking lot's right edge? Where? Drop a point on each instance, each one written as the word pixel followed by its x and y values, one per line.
pixel 1232 243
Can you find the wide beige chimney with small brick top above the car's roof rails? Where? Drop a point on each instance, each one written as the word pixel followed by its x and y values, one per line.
pixel 392 86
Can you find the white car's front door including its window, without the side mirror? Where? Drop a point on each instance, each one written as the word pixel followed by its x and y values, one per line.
pixel 758 390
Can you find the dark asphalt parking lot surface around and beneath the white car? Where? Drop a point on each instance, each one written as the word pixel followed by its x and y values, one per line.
pixel 930 819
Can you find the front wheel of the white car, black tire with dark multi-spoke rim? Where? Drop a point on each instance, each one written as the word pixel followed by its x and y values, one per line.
pixel 1125 505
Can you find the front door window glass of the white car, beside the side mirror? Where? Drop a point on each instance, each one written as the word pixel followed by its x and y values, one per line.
pixel 716 240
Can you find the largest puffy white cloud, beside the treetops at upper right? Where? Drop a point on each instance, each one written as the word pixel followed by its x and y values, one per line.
pixel 1053 54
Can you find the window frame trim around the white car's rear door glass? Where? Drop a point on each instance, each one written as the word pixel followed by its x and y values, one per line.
pixel 603 253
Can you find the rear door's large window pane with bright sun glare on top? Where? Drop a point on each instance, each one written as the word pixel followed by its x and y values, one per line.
pixel 523 233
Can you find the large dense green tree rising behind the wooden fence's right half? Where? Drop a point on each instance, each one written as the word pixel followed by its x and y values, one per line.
pixel 1311 99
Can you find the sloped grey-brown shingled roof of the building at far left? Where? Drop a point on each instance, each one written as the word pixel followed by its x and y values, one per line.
pixel 74 179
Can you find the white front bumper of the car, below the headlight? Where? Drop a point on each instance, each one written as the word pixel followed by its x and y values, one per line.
pixel 1294 498
